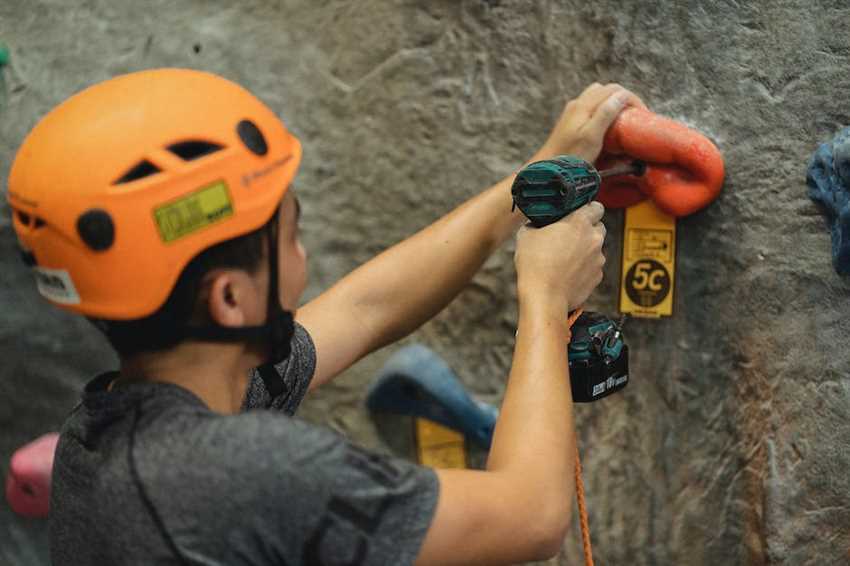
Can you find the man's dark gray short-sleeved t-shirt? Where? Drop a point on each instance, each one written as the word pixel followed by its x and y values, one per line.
pixel 147 474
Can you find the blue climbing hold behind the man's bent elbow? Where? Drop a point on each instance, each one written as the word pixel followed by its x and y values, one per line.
pixel 416 382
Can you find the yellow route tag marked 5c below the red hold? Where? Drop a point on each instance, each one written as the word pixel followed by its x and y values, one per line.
pixel 648 272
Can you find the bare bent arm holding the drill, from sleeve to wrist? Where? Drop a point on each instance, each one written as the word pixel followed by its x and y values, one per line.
pixel 519 508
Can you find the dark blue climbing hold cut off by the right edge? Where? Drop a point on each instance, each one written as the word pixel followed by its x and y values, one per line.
pixel 829 186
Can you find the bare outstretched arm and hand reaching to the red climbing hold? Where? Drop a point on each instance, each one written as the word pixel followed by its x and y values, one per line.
pixel 393 294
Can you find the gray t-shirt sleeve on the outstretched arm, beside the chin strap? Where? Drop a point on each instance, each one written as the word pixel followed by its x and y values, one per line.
pixel 296 371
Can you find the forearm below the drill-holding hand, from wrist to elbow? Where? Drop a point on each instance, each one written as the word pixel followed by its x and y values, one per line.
pixel 534 437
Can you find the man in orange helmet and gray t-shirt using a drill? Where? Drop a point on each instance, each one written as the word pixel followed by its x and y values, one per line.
pixel 160 206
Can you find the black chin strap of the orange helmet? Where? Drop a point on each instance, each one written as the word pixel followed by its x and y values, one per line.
pixel 277 331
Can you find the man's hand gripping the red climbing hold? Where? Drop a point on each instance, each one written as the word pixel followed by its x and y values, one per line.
pixel 584 121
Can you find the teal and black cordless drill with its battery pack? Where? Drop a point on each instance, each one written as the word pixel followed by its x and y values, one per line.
pixel 546 191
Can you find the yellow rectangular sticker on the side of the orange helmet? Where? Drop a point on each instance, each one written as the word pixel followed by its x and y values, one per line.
pixel 193 212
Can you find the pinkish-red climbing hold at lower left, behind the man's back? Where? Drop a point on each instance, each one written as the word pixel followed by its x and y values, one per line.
pixel 28 482
